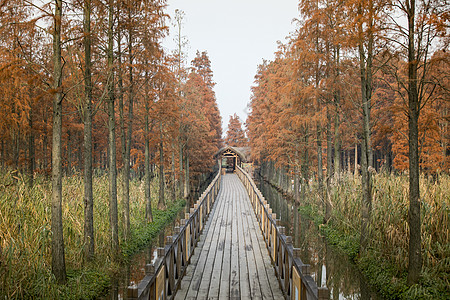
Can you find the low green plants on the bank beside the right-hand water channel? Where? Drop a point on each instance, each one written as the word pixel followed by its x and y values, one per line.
pixel 386 278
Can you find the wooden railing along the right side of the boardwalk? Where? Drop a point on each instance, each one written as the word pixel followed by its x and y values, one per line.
pixel 295 280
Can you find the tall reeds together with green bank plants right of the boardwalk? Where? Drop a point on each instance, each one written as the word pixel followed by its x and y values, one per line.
pixel 384 262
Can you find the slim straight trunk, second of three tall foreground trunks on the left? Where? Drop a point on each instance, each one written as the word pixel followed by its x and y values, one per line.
pixel 88 196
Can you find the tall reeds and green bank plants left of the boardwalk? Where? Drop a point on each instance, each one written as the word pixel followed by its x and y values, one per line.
pixel 25 236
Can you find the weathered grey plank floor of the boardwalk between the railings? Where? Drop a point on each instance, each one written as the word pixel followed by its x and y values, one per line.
pixel 231 260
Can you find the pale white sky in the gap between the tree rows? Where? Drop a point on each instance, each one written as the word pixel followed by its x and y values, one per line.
pixel 238 35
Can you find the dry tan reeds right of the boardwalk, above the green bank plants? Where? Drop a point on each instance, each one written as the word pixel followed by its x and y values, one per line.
pixel 389 228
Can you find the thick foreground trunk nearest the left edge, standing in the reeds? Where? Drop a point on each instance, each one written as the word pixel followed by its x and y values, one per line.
pixel 58 257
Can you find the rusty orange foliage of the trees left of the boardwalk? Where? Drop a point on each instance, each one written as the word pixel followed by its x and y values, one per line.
pixel 192 120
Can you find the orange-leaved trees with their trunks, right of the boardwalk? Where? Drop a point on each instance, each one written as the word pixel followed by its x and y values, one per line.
pixel 360 86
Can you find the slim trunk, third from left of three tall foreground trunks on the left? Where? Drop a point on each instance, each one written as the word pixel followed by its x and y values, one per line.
pixel 113 210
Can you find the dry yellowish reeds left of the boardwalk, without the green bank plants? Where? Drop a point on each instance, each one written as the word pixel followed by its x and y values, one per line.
pixel 25 235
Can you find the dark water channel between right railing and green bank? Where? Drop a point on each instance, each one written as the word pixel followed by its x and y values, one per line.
pixel 328 267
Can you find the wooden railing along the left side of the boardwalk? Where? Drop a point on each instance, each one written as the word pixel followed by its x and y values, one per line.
pixel 163 277
